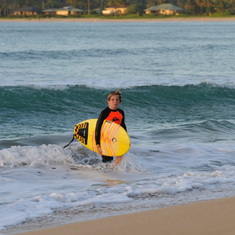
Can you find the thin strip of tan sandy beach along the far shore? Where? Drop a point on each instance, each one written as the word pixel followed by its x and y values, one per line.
pixel 170 19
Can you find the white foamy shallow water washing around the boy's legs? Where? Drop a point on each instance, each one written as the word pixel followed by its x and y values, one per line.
pixel 38 180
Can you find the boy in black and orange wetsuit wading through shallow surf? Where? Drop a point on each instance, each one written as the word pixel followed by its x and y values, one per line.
pixel 111 113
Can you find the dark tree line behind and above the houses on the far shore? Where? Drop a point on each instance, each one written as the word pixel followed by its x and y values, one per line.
pixel 133 6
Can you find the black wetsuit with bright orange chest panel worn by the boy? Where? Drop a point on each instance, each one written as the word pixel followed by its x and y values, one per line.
pixel 116 116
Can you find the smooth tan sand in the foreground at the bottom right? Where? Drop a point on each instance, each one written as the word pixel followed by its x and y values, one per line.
pixel 213 217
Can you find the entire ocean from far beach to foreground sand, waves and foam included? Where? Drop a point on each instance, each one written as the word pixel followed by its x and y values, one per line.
pixel 178 86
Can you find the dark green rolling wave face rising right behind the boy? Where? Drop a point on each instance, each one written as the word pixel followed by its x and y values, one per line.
pixel 62 100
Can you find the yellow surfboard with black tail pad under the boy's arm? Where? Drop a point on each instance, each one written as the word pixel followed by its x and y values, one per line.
pixel 114 140
